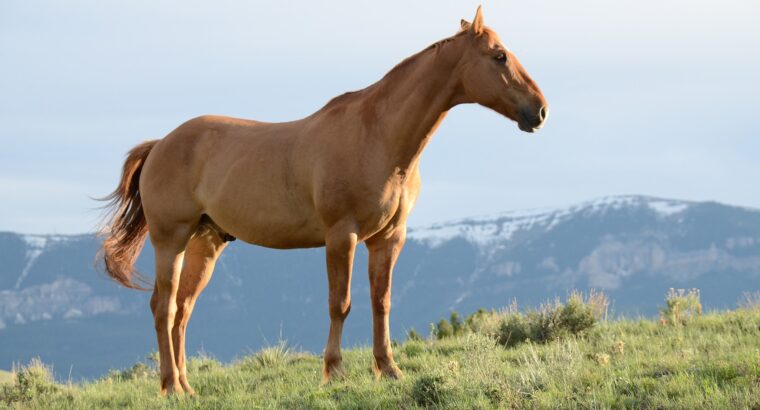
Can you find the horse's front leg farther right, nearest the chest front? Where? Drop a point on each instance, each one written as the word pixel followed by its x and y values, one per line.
pixel 383 252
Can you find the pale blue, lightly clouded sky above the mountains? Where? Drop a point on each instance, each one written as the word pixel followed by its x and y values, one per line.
pixel 652 97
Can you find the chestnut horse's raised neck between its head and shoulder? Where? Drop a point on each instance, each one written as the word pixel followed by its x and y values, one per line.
pixel 409 106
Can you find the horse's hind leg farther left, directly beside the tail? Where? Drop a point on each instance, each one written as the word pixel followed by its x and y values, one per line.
pixel 169 246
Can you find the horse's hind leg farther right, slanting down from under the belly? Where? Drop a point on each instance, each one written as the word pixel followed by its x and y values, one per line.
pixel 200 257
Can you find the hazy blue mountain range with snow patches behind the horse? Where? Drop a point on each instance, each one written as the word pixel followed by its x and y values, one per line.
pixel 54 303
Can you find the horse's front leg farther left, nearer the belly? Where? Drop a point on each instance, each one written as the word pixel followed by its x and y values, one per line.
pixel 340 244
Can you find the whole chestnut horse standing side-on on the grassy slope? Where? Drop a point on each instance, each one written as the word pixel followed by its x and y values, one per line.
pixel 348 173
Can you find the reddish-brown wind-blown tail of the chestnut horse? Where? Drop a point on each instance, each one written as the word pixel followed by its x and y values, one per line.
pixel 126 228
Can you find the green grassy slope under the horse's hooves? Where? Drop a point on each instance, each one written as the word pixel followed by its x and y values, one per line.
pixel 712 362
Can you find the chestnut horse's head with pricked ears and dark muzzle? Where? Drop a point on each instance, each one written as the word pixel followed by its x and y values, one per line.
pixel 493 77
